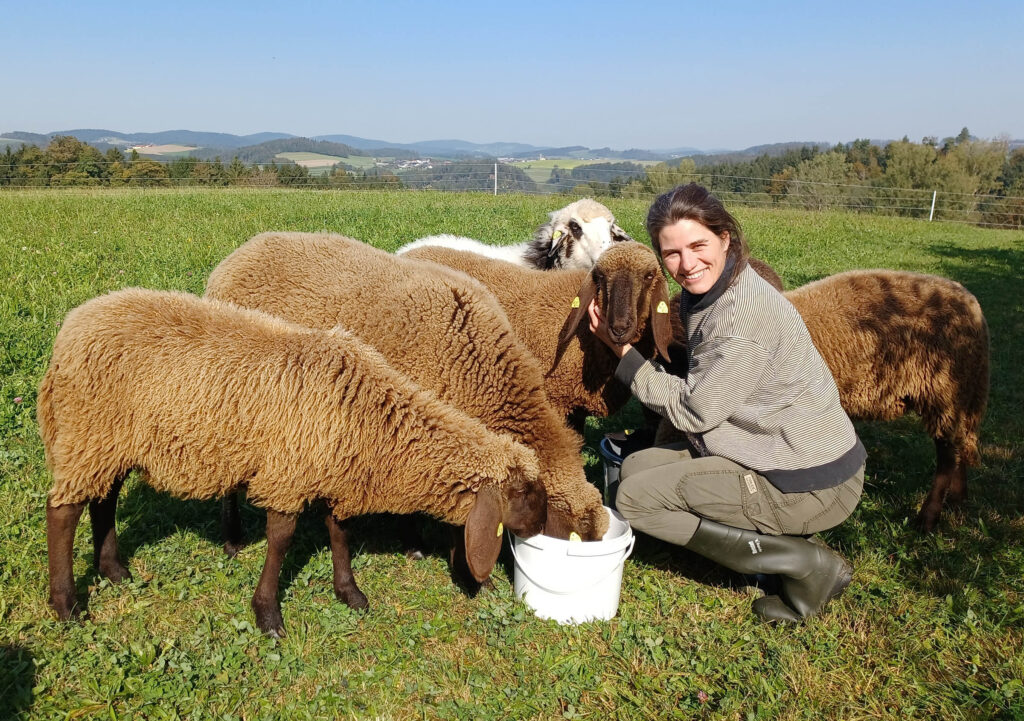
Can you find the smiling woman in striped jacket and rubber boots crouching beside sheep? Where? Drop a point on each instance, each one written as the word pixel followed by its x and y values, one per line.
pixel 772 456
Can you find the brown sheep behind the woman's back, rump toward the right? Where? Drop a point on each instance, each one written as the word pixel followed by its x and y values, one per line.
pixel 900 342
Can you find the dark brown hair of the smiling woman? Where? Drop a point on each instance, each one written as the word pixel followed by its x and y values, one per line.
pixel 693 202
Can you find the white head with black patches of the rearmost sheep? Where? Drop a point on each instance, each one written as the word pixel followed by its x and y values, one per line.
pixel 575 237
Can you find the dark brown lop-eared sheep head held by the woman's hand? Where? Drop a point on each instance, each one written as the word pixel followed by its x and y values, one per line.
pixel 632 295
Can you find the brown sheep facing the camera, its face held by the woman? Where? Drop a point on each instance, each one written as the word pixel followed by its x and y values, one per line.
pixel 546 310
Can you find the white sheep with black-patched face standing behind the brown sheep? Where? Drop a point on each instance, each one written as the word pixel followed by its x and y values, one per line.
pixel 573 238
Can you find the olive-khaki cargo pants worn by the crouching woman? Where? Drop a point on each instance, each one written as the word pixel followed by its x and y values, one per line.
pixel 666 491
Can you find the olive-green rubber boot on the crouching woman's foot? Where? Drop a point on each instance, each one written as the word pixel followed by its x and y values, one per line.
pixel 810 574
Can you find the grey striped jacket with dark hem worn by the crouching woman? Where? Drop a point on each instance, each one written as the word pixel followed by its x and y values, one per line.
pixel 757 393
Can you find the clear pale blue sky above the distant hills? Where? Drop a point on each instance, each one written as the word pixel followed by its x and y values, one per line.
pixel 655 75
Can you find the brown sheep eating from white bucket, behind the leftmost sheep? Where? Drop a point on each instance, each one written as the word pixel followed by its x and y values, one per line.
pixel 442 329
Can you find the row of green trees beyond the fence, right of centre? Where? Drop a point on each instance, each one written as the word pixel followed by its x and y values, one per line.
pixel 979 182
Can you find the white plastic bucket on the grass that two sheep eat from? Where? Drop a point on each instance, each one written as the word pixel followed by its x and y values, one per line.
pixel 574 582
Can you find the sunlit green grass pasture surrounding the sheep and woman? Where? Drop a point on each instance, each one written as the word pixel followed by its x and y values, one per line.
pixel 932 627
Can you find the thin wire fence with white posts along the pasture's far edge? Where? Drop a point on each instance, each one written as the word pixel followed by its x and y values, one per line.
pixel 932 204
